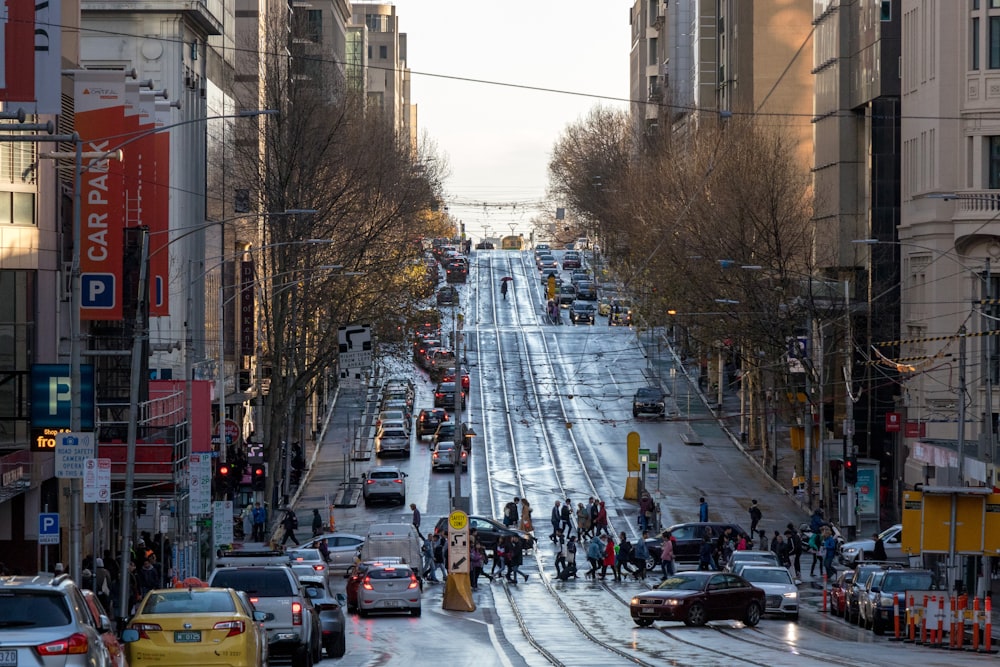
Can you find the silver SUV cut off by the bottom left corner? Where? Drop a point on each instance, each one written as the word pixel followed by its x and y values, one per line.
pixel 44 620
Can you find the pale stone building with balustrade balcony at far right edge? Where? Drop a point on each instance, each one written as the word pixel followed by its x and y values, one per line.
pixel 949 240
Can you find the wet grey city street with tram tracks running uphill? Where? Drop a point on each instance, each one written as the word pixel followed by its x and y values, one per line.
pixel 551 408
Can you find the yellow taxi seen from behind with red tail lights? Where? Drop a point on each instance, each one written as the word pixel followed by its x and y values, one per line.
pixel 196 626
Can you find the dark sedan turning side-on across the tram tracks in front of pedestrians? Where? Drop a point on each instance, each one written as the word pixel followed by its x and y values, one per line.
pixel 698 597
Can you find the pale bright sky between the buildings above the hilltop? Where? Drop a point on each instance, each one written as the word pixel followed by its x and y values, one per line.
pixel 498 139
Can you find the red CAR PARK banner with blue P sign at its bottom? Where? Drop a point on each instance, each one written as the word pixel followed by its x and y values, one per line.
pixel 100 98
